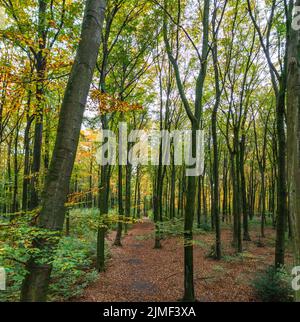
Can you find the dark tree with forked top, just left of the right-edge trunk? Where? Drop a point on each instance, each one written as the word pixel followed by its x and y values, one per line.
pixel 279 83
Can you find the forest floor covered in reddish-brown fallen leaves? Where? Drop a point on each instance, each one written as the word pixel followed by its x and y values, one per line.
pixel 138 272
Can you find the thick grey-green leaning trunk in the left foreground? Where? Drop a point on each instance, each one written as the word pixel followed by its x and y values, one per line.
pixel 51 217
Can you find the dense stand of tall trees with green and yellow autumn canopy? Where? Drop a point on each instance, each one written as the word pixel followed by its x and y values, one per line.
pixel 227 67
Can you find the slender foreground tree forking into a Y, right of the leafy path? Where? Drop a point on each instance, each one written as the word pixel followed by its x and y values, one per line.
pixel 195 119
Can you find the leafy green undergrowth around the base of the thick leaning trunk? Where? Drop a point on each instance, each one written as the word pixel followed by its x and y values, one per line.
pixel 74 258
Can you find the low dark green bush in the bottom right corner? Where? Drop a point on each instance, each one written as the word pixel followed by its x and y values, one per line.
pixel 273 285
